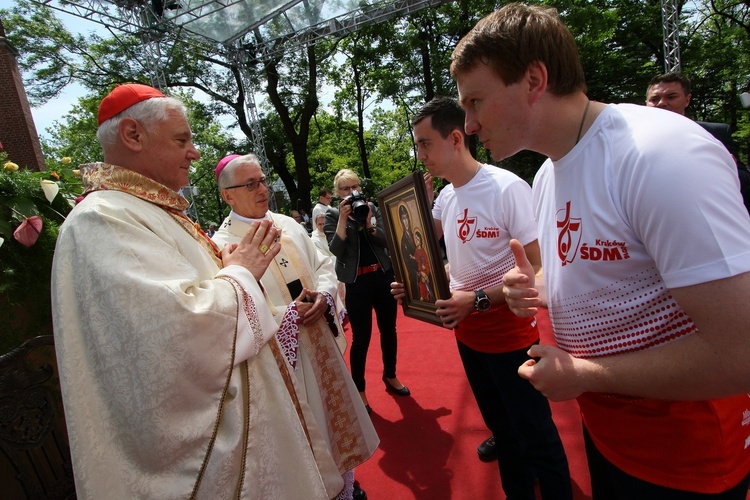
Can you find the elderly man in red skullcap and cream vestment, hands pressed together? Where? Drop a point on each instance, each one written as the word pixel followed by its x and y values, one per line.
pixel 173 380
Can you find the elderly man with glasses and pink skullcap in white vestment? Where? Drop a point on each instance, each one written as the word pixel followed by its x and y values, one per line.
pixel 300 283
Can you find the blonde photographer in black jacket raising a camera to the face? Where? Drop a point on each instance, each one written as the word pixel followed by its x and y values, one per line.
pixel 355 236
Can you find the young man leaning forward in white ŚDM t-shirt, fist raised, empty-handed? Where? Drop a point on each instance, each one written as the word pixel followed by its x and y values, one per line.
pixel 646 252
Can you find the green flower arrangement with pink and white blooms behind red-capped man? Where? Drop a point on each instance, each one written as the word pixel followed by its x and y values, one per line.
pixel 32 207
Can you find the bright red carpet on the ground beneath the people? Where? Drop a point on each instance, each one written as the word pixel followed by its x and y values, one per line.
pixel 428 441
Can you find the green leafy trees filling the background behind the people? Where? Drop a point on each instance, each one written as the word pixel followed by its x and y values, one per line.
pixel 396 65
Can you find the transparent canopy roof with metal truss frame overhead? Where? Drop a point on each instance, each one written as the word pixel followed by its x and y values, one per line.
pixel 282 26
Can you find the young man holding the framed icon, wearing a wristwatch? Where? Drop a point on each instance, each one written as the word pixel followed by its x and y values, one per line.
pixel 479 212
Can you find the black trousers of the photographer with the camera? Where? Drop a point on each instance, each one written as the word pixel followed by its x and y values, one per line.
pixel 371 291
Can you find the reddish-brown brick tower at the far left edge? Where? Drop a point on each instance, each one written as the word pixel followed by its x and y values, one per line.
pixel 17 131
